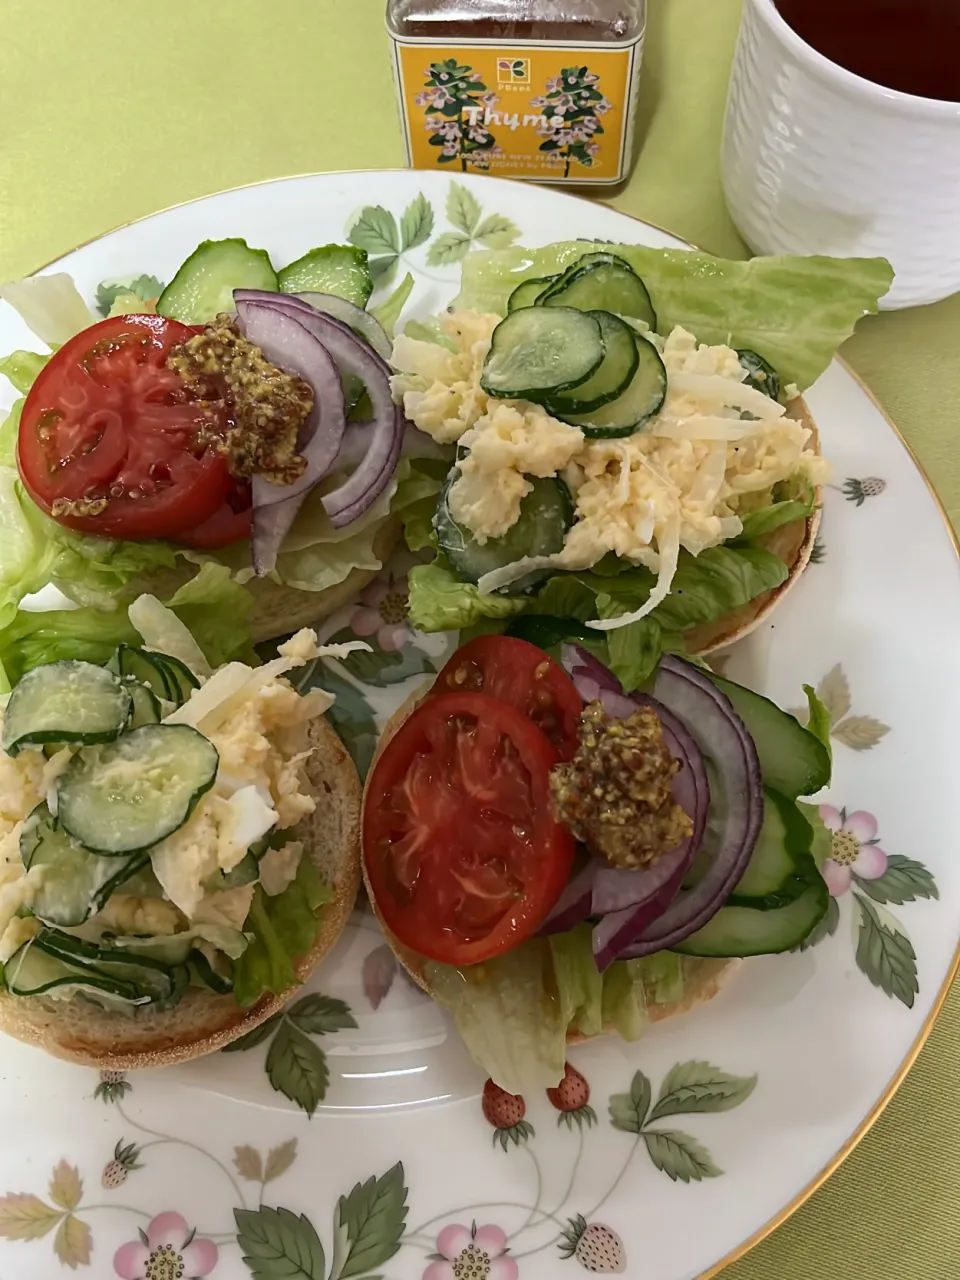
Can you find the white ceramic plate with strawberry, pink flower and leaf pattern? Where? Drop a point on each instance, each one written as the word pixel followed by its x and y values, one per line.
pixel 399 1174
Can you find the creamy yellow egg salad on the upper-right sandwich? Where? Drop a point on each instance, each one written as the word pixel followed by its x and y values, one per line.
pixel 715 451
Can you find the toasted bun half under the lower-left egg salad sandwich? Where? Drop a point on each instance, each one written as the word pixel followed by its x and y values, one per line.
pixel 81 1032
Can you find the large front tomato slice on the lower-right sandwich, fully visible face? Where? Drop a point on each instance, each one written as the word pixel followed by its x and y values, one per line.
pixel 461 849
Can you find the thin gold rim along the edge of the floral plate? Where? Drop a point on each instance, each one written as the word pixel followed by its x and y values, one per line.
pixel 924 1035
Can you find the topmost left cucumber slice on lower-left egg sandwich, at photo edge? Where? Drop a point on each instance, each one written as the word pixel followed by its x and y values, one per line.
pixel 66 702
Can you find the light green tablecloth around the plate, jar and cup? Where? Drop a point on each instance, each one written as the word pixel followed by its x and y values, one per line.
pixel 113 111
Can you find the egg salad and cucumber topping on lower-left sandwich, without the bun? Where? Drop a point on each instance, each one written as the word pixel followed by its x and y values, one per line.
pixel 149 808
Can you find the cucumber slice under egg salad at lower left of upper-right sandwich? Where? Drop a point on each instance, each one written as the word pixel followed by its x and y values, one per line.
pixel 546 515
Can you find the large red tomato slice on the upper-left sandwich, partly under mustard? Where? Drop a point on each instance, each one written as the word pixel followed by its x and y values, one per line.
pixel 107 420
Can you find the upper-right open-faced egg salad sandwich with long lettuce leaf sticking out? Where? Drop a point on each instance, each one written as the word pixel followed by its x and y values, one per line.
pixel 634 455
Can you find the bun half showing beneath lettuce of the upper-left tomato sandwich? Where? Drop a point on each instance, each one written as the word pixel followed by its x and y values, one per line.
pixel 281 610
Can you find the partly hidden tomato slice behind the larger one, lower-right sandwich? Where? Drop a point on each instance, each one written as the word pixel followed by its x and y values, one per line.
pixel 519 674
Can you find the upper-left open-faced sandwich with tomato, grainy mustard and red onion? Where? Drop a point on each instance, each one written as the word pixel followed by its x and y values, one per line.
pixel 190 427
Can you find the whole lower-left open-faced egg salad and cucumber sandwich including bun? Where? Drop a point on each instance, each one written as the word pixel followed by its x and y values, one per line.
pixel 179 845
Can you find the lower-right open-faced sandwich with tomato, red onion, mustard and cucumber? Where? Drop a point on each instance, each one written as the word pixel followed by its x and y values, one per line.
pixel 554 860
